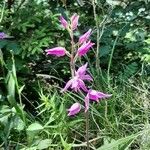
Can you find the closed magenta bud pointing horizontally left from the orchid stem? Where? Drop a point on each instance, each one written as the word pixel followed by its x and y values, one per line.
pixel 58 51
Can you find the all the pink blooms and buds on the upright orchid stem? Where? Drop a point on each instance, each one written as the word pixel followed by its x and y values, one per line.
pixel 76 83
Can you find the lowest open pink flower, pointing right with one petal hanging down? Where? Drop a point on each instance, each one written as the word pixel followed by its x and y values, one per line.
pixel 94 96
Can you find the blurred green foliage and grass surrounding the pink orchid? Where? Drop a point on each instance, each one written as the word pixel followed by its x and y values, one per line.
pixel 33 112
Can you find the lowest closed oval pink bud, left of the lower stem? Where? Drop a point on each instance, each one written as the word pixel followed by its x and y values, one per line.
pixel 74 109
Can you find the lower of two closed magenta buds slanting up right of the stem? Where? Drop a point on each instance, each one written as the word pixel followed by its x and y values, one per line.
pixel 85 48
